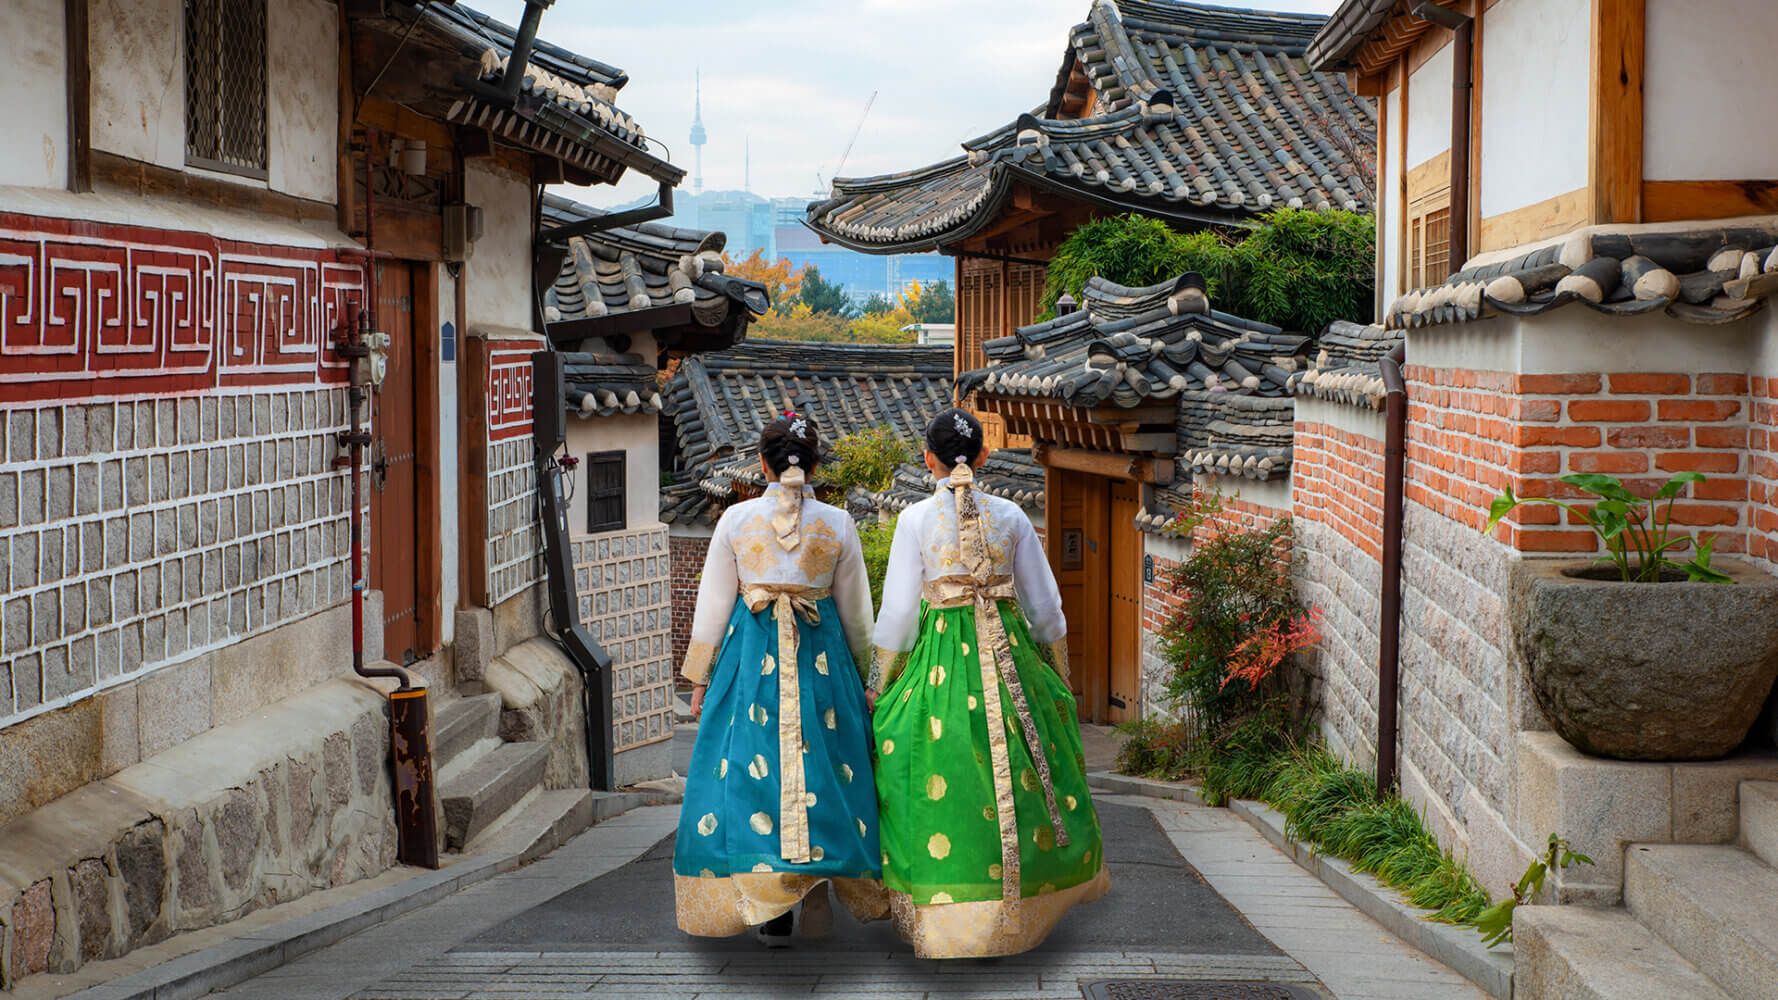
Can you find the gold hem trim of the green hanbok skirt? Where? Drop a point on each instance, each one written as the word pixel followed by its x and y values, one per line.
pixel 993 928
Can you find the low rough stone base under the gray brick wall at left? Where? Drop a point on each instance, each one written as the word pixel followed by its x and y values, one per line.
pixel 243 818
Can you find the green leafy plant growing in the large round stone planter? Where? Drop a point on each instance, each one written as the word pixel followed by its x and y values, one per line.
pixel 1637 533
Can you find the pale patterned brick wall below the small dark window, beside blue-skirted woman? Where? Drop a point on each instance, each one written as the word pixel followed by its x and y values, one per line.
pixel 623 583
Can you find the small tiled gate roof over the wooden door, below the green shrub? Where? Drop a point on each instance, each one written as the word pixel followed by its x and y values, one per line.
pixel 1125 348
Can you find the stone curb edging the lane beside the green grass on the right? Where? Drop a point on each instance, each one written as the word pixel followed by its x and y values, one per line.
pixel 1457 948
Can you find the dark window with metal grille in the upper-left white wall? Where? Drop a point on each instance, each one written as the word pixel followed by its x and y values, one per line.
pixel 225 86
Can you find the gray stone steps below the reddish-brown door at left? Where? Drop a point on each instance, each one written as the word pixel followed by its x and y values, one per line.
pixel 488 786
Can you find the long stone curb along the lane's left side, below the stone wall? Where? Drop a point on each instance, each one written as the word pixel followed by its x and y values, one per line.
pixel 239 960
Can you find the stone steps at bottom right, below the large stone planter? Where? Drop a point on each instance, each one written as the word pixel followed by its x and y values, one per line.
pixel 1699 923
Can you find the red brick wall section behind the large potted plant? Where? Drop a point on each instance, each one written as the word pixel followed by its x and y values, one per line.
pixel 1473 433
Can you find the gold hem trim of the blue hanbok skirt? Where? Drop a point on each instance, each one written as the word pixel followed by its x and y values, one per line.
pixel 728 907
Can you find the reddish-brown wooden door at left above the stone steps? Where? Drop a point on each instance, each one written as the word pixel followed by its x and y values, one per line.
pixel 394 497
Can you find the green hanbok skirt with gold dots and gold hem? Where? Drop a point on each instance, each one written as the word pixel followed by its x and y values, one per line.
pixel 943 839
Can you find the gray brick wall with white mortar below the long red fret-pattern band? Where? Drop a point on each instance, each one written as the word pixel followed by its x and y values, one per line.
pixel 143 533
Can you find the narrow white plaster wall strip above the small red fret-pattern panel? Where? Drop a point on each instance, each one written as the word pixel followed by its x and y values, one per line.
pixel 499 271
